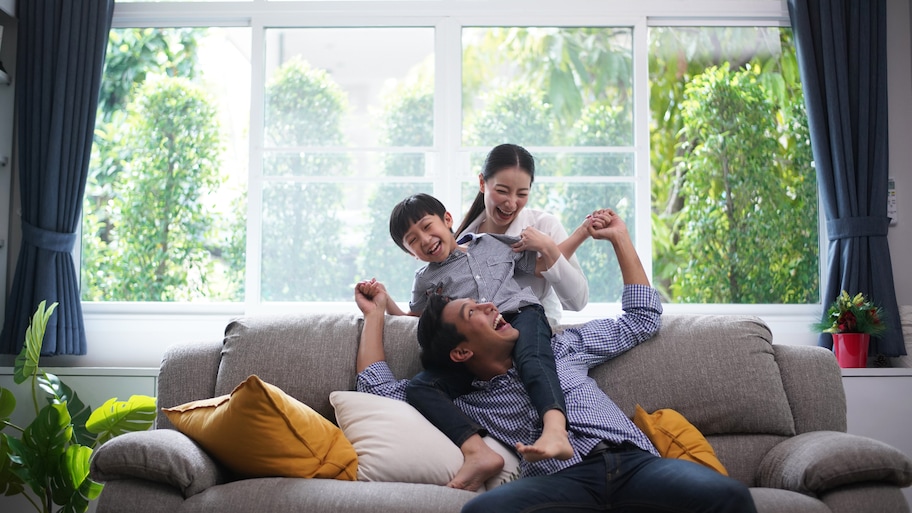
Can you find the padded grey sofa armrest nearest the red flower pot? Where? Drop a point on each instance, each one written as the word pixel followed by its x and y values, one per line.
pixel 814 462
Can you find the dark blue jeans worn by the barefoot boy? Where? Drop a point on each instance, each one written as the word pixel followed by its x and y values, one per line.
pixel 432 391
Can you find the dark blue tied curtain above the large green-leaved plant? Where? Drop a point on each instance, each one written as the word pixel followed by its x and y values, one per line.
pixel 60 57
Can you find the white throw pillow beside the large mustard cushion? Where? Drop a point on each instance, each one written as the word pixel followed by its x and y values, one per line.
pixel 394 442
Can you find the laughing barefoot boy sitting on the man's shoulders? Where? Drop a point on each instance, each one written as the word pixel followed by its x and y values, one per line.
pixel 482 268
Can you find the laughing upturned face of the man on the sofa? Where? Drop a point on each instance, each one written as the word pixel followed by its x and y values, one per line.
pixel 486 332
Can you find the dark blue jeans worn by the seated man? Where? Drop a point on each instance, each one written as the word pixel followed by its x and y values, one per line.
pixel 624 478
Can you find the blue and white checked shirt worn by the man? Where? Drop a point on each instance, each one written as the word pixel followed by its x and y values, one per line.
pixel 503 407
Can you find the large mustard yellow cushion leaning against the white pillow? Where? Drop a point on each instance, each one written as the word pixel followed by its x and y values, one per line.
pixel 257 430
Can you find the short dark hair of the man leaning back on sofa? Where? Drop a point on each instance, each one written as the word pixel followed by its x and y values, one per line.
pixel 436 337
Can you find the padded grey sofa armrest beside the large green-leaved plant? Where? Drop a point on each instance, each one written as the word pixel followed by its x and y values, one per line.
pixel 162 455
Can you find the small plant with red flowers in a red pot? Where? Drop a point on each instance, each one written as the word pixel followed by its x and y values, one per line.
pixel 852 320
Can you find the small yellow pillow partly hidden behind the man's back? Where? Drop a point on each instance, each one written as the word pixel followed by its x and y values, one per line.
pixel 675 437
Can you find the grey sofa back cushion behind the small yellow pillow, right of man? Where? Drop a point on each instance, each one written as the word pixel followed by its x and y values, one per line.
pixel 719 371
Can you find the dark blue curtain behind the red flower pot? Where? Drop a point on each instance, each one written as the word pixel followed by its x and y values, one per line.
pixel 842 55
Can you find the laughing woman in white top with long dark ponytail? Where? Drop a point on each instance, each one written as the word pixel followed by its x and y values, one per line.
pixel 499 207
